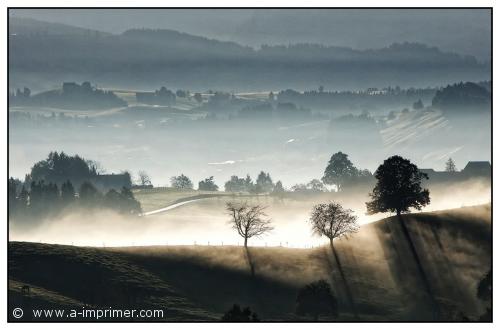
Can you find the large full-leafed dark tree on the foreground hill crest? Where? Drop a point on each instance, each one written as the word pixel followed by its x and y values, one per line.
pixel 398 187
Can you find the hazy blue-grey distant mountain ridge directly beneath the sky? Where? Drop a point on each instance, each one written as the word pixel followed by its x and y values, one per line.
pixel 43 54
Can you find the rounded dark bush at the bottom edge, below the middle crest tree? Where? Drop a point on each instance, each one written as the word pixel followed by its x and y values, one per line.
pixel 316 299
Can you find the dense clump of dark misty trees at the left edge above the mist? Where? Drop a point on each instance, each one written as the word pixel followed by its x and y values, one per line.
pixel 61 182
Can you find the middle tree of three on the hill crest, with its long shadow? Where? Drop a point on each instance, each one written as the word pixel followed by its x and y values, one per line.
pixel 333 221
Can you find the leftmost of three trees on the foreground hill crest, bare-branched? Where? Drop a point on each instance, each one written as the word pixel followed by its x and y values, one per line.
pixel 248 220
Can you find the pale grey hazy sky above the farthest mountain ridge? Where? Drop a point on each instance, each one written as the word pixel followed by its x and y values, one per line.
pixel 466 31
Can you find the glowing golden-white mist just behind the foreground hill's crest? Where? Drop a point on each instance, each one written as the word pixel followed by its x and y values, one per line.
pixel 205 222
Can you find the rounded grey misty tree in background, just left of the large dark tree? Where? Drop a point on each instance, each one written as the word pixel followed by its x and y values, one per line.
pixel 339 170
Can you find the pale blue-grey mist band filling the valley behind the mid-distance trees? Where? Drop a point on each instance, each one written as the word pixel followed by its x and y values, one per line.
pixel 293 152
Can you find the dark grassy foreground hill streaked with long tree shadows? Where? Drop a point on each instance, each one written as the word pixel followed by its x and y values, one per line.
pixel 200 283
